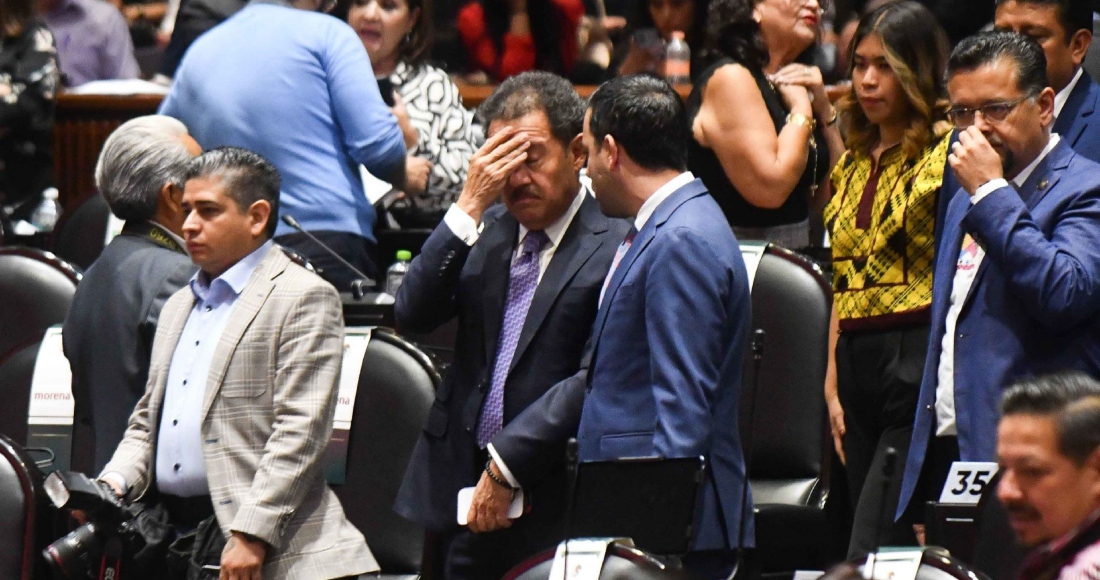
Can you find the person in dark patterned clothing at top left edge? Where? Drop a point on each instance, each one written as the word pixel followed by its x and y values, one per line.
pixel 29 79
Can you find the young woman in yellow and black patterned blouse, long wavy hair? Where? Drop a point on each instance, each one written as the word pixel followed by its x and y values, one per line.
pixel 882 223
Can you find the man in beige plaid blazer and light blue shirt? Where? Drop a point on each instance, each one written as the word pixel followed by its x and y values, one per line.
pixel 243 389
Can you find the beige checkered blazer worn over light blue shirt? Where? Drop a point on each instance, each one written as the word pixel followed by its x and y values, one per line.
pixel 267 420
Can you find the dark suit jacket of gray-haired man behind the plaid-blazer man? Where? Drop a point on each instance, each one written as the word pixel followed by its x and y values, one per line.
pixel 108 334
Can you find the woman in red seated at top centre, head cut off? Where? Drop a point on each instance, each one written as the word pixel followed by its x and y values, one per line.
pixel 505 38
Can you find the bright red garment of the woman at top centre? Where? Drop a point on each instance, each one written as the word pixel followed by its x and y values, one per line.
pixel 520 53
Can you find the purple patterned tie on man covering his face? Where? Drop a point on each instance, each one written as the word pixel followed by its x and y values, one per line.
pixel 523 279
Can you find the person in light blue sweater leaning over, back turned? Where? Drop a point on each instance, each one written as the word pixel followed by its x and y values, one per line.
pixel 298 87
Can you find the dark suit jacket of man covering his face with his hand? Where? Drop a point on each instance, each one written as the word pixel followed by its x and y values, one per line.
pixel 450 279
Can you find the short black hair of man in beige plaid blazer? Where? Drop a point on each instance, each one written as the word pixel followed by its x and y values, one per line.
pixel 247 178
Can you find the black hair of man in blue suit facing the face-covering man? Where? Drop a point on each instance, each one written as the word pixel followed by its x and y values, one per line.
pixel 647 119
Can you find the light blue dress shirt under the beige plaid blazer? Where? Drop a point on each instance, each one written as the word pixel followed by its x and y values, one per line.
pixel 180 464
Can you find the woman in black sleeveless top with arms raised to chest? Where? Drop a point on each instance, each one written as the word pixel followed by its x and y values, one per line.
pixel 765 132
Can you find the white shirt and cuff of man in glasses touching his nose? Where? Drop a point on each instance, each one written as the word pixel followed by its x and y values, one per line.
pixel 966 269
